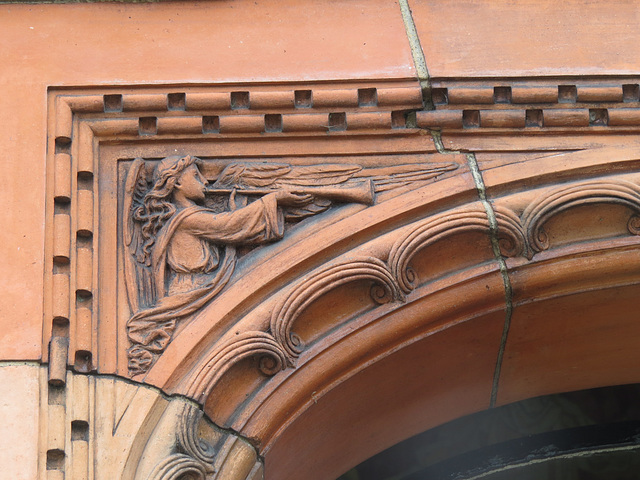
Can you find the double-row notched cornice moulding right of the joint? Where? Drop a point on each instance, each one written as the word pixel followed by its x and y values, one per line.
pixel 535 106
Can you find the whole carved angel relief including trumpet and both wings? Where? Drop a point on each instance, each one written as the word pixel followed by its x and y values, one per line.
pixel 182 237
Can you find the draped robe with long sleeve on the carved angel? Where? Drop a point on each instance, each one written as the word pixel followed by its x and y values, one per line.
pixel 192 260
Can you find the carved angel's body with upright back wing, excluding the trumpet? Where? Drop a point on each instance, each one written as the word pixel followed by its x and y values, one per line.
pixel 182 253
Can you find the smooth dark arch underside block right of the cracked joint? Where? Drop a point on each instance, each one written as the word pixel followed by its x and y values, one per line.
pixel 551 348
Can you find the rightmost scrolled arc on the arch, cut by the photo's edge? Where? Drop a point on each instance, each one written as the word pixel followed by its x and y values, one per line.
pixel 559 200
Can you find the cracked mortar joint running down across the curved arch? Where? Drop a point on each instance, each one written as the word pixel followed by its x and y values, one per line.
pixel 508 292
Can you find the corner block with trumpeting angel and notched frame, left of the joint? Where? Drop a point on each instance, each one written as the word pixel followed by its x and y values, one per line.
pixel 160 200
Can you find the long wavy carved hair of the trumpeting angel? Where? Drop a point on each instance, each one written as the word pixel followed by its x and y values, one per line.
pixel 156 208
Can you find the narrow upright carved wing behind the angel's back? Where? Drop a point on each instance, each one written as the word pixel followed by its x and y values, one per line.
pixel 138 276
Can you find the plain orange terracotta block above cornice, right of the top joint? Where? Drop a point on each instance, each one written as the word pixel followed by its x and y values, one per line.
pixel 529 38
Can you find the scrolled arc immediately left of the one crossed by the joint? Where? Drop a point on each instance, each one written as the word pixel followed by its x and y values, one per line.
pixel 319 282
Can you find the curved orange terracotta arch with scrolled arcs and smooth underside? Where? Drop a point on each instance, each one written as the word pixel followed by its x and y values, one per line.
pixel 536 296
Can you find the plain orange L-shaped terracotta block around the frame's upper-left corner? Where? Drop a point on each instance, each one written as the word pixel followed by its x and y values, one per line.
pixel 109 44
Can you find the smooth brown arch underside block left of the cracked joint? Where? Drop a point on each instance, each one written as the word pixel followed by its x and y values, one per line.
pixel 417 388
